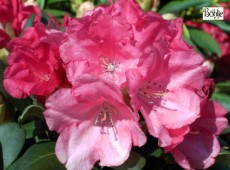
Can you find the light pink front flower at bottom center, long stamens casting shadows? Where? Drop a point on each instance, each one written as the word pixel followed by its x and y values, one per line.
pixel 94 125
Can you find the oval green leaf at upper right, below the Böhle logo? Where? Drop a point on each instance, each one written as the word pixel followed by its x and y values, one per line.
pixel 204 41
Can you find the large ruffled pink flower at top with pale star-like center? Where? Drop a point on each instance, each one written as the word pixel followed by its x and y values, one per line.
pixel 111 52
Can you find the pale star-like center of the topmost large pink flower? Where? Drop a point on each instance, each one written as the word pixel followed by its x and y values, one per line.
pixel 109 65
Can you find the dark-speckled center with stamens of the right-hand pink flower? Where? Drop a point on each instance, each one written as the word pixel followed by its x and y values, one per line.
pixel 151 91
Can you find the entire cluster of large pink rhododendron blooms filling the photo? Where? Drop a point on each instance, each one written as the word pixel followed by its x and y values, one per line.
pixel 106 71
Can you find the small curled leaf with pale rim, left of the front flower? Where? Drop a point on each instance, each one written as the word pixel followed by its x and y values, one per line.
pixel 32 112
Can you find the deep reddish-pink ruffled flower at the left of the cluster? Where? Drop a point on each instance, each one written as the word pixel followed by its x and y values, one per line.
pixel 34 66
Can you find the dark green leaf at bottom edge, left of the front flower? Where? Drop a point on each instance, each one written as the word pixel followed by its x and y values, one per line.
pixel 38 157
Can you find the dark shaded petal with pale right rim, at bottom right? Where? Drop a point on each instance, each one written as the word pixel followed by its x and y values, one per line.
pixel 197 151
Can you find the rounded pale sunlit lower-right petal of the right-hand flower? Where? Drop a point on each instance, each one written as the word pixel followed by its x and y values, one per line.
pixel 178 108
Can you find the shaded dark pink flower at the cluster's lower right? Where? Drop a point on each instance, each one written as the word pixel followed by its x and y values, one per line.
pixel 200 147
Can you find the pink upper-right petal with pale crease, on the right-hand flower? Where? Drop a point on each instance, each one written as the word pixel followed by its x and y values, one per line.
pixel 185 68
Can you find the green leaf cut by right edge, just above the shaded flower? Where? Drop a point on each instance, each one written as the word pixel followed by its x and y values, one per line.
pixel 223 99
